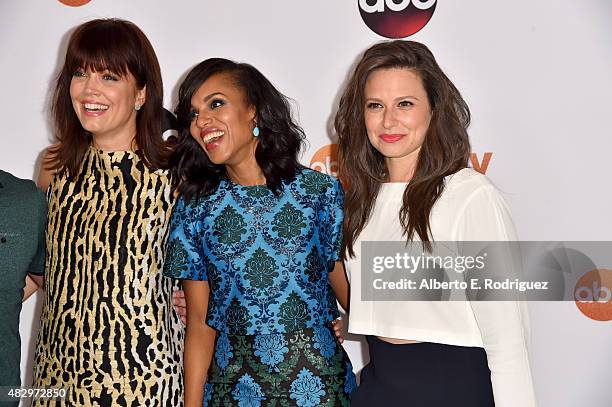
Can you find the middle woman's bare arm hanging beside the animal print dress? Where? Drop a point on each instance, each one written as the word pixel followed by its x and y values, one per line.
pixel 199 341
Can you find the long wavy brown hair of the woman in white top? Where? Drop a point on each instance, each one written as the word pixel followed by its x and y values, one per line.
pixel 445 150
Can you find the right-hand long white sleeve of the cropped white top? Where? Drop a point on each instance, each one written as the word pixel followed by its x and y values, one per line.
pixel 503 325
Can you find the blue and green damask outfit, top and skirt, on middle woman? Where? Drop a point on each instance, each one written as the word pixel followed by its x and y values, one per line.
pixel 267 260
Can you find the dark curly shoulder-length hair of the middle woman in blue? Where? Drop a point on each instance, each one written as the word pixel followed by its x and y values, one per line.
pixel 280 138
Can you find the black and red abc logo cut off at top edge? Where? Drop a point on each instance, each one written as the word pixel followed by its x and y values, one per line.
pixel 396 18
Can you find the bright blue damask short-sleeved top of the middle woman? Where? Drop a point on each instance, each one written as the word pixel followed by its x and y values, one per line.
pixel 266 257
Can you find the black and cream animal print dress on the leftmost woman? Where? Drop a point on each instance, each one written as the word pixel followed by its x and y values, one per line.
pixel 109 334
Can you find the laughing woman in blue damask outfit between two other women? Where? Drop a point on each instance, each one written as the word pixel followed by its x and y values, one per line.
pixel 256 239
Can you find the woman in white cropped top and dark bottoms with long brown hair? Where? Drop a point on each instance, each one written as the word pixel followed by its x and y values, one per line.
pixel 404 153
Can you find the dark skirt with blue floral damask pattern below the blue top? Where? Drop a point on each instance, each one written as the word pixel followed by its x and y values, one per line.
pixel 305 368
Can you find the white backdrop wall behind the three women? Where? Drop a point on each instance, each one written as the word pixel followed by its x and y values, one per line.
pixel 537 76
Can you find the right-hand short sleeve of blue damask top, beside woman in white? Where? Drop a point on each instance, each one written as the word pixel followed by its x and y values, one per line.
pixel 332 216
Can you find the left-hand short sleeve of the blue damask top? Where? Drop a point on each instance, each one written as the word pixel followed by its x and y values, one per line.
pixel 184 259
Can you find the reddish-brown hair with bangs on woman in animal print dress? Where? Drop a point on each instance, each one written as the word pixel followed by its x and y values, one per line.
pixel 120 47
